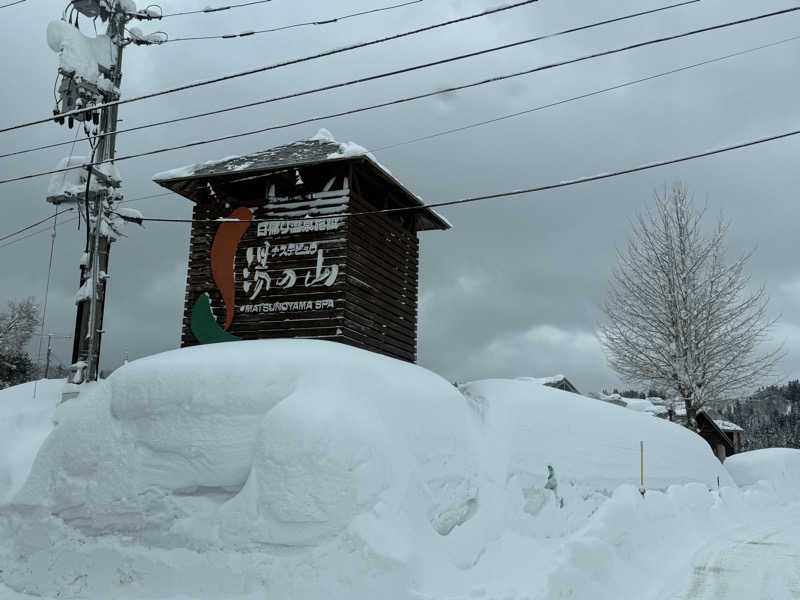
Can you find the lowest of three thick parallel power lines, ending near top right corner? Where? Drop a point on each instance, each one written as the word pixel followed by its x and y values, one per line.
pixel 411 98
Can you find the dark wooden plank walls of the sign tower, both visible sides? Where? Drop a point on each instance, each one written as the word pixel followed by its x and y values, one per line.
pixel 373 302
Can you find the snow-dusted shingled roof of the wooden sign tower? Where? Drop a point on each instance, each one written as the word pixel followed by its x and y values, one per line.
pixel 191 181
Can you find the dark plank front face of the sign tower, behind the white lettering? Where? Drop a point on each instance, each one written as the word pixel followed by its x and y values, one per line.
pixel 273 313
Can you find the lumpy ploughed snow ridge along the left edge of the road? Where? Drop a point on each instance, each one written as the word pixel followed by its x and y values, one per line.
pixel 635 547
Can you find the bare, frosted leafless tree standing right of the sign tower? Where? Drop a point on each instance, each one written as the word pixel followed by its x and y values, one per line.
pixel 679 317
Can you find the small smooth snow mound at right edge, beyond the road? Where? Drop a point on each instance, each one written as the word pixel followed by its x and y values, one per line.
pixel 778 468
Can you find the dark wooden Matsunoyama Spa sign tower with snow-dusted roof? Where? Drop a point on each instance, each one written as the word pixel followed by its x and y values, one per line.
pixel 286 243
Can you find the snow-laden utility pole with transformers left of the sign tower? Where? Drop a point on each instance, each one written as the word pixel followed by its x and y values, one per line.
pixel 91 74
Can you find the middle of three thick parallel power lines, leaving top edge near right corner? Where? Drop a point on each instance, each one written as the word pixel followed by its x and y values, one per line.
pixel 372 77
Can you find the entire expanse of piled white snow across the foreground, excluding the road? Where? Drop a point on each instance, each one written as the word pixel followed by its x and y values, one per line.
pixel 307 469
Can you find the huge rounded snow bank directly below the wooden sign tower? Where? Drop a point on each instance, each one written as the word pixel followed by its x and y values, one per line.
pixel 285 441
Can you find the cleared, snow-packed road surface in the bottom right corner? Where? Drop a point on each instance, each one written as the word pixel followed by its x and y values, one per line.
pixel 755 563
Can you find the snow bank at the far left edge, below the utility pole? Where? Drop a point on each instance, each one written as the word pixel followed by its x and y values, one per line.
pixel 26 418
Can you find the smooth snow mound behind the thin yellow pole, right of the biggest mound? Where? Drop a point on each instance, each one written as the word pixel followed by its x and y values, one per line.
pixel 594 443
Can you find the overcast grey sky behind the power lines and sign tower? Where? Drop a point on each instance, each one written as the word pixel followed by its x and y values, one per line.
pixel 515 287
